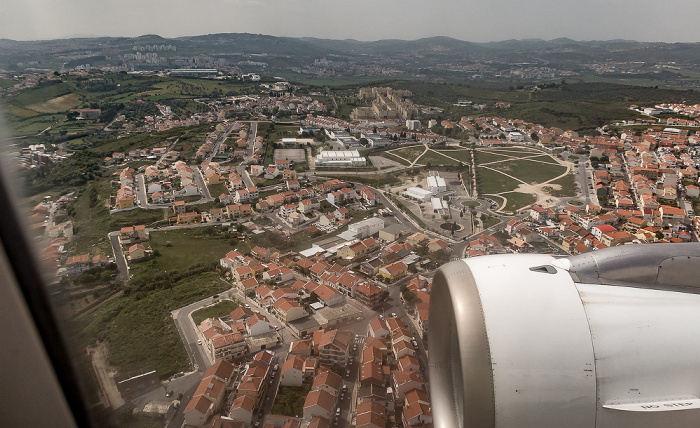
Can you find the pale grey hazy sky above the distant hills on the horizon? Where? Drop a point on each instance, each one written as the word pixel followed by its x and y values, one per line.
pixel 484 20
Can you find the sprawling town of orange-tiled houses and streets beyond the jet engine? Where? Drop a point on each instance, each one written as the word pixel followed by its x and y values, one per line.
pixel 325 276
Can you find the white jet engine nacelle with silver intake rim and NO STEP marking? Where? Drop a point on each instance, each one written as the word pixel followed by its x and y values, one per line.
pixel 604 339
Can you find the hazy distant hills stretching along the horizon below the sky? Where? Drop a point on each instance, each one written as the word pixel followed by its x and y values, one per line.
pixel 433 57
